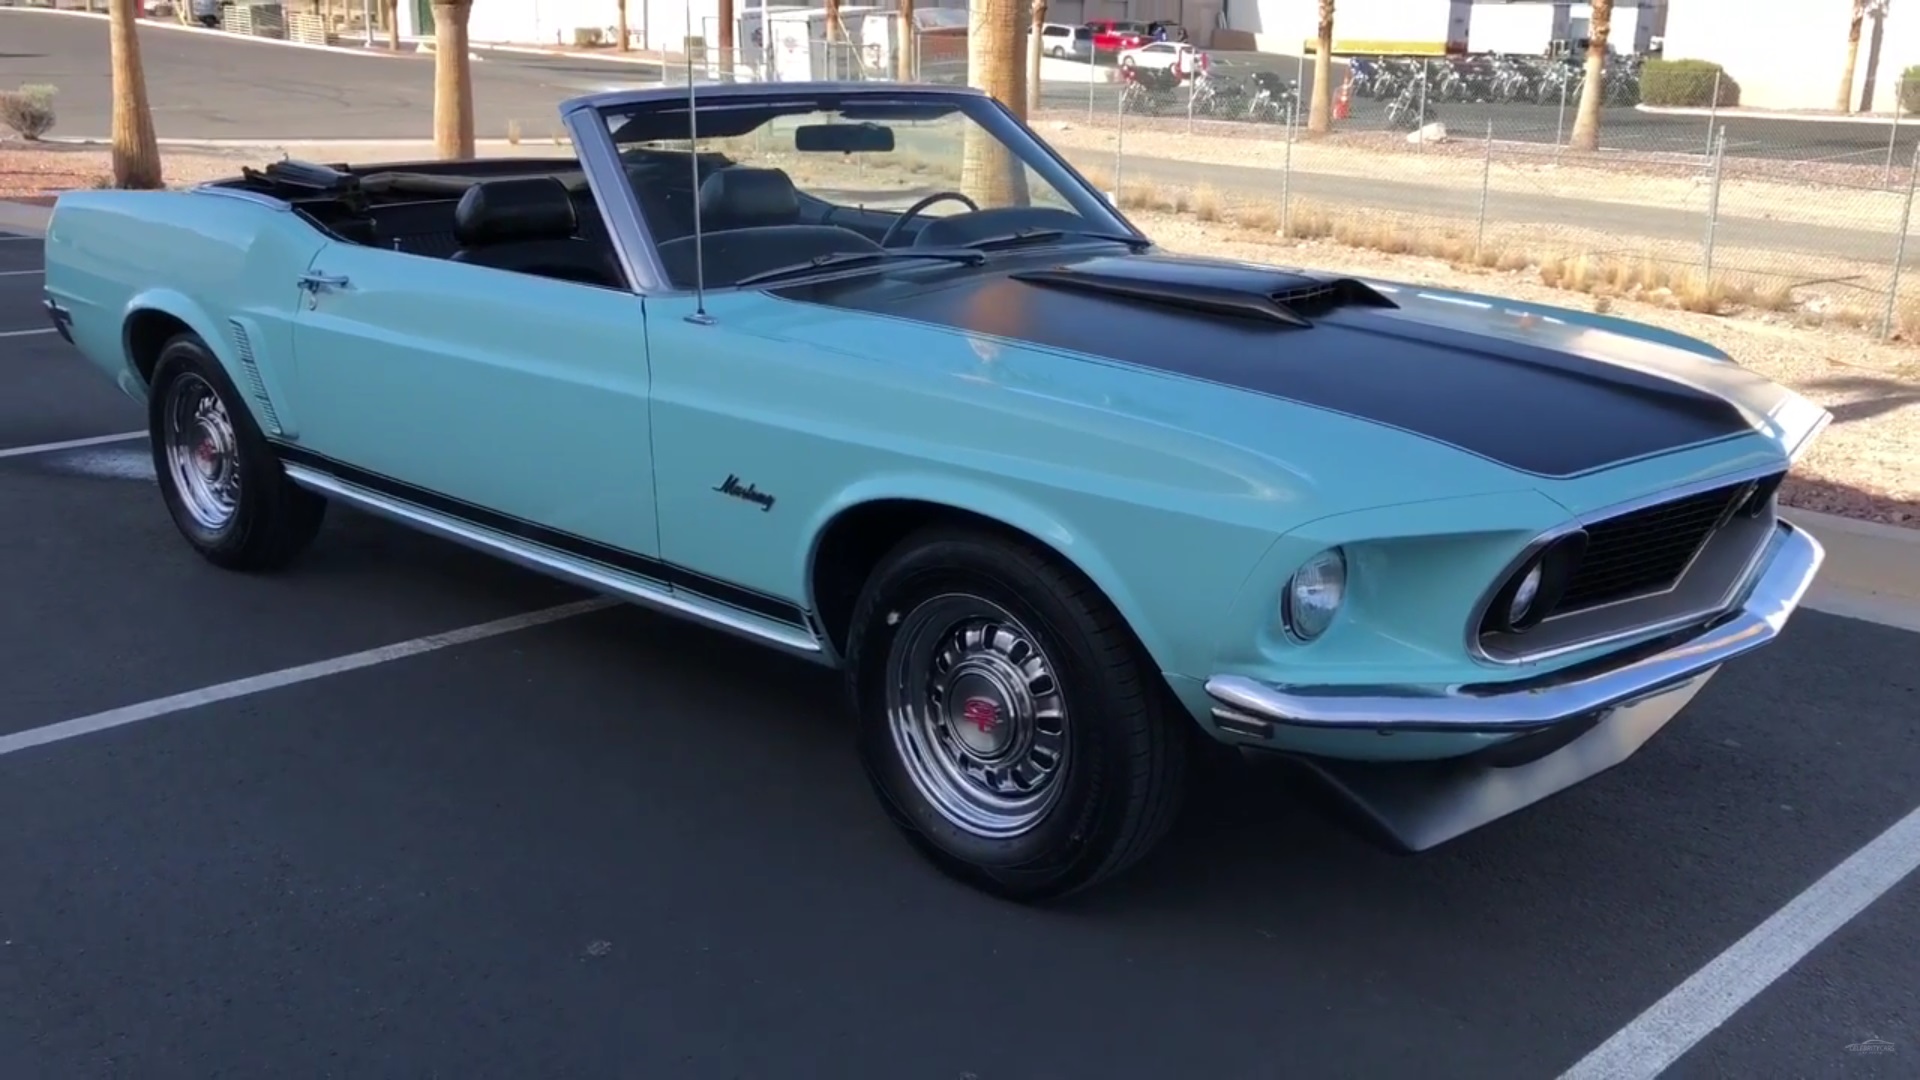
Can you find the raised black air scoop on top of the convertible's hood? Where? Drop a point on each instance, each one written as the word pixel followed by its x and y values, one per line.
pixel 1287 299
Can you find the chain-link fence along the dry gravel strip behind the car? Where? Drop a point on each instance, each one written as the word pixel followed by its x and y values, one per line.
pixel 1483 162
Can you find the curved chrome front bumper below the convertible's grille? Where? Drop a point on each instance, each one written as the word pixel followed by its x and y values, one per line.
pixel 1253 710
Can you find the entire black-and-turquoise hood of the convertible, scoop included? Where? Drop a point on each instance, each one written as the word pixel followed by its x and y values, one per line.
pixel 1545 397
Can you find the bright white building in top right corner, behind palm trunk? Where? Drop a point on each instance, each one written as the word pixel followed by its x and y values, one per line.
pixel 1790 57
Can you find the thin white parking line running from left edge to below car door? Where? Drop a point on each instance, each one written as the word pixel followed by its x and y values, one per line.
pixel 291 675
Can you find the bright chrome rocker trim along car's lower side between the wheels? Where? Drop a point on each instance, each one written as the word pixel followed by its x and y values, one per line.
pixel 564 568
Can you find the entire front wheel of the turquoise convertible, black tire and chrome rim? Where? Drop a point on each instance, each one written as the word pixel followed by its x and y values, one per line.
pixel 1009 722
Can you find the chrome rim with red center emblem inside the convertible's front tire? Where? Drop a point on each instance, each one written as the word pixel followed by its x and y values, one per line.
pixel 976 716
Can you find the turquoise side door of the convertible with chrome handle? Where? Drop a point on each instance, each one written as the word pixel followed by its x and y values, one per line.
pixel 491 393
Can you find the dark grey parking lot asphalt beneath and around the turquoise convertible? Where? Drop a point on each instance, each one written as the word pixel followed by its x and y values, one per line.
pixel 623 847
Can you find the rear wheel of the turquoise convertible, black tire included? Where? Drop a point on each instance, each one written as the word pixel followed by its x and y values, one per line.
pixel 222 481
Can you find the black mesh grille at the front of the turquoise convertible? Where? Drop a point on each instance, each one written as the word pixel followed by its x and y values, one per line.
pixel 1646 551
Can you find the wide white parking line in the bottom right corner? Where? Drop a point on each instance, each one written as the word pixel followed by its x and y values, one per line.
pixel 1716 993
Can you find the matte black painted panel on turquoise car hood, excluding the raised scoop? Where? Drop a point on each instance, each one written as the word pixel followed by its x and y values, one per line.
pixel 1524 406
